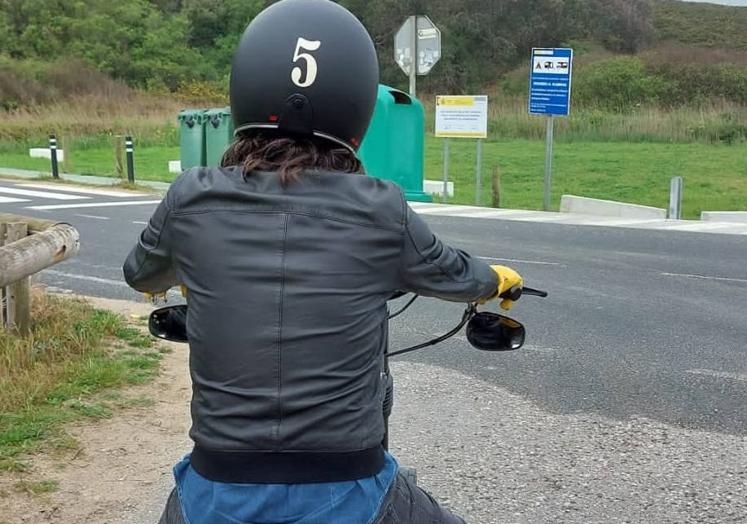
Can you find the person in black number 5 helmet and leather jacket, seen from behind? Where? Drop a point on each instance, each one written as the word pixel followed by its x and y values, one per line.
pixel 290 254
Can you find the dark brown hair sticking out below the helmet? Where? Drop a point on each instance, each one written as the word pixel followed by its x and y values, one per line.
pixel 267 151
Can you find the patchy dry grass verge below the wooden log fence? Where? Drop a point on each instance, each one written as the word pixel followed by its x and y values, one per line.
pixel 64 371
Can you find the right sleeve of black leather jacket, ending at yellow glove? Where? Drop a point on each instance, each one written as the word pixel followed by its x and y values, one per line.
pixel 431 268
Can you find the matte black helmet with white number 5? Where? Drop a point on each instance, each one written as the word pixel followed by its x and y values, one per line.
pixel 305 67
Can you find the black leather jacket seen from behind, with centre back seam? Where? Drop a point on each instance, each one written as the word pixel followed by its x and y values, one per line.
pixel 287 318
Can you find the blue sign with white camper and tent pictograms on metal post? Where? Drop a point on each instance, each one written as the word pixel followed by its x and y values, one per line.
pixel 550 79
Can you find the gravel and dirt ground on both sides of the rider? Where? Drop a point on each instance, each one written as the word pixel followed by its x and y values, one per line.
pixel 490 455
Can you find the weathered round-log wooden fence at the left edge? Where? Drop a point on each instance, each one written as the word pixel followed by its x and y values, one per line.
pixel 27 246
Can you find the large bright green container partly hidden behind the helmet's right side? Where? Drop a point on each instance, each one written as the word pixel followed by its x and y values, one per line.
pixel 394 146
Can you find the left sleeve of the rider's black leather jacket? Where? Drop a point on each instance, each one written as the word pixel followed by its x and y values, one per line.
pixel 149 267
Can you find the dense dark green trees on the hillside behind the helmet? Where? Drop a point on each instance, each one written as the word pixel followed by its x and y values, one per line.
pixel 168 43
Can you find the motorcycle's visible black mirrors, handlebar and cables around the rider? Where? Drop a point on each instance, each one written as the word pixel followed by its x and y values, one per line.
pixel 485 331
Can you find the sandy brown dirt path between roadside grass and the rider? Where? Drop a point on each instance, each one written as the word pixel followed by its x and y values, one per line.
pixel 122 472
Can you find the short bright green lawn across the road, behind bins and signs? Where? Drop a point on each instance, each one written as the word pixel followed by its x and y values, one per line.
pixel 637 172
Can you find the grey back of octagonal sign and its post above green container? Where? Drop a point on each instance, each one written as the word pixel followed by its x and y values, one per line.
pixel 417 48
